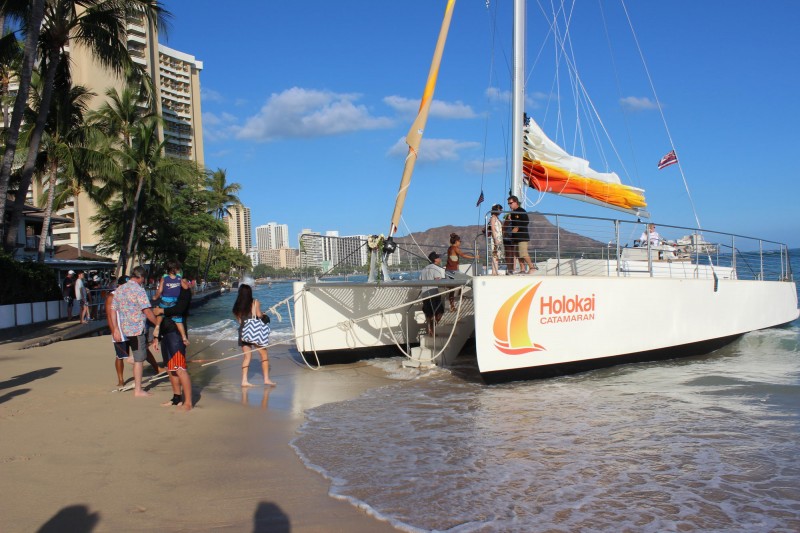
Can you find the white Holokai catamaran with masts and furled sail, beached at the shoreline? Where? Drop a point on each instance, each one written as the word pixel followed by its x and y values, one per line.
pixel 587 306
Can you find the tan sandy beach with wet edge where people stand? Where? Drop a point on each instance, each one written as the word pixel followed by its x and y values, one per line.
pixel 76 456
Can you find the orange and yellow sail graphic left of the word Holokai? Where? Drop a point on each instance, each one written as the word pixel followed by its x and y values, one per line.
pixel 511 335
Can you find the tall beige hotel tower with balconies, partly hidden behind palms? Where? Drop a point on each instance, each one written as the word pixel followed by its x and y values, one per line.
pixel 176 79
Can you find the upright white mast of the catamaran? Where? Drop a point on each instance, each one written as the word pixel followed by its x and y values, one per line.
pixel 518 100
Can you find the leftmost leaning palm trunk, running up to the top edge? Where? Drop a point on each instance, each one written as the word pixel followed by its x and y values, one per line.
pixel 29 57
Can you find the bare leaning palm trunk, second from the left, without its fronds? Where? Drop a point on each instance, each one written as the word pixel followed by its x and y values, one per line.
pixel 33 149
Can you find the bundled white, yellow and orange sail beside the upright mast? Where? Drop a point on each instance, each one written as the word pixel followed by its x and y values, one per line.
pixel 548 168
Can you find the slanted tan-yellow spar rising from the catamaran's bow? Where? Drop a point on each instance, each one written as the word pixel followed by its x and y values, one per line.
pixel 414 136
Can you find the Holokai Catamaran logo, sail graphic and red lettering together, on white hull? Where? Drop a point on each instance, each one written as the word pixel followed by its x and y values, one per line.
pixel 511 332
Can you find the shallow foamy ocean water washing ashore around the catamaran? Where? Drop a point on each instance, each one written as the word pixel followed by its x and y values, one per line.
pixel 706 443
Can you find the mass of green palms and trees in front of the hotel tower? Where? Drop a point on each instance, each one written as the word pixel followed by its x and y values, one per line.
pixel 150 207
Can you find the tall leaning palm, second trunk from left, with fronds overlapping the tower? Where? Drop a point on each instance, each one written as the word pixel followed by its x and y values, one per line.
pixel 100 26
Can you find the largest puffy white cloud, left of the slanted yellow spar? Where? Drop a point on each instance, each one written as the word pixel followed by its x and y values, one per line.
pixel 305 113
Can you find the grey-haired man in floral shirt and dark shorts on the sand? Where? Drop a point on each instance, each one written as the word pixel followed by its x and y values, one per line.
pixel 133 307
